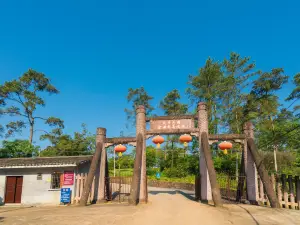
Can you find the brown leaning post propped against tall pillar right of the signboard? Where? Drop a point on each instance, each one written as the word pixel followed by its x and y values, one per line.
pixel 216 194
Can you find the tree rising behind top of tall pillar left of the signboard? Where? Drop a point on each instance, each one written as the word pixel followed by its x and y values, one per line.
pixel 137 97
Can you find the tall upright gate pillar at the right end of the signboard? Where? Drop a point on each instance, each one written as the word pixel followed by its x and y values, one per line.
pixel 206 194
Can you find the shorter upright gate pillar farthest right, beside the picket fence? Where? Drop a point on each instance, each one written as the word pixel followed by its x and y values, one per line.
pixel 250 168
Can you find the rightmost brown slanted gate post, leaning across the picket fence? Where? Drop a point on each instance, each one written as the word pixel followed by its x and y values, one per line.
pixel 263 174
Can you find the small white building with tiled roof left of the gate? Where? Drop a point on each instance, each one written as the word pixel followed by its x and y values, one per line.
pixel 34 181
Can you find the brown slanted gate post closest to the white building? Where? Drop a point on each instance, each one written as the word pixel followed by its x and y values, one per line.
pixel 100 139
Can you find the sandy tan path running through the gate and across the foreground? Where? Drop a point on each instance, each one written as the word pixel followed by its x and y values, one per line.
pixel 165 207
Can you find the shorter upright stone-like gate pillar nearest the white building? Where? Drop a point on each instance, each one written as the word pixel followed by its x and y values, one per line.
pixel 101 136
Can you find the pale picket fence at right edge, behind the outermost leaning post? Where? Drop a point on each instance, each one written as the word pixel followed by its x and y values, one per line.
pixel 287 189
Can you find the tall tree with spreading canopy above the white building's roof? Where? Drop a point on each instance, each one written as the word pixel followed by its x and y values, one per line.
pixel 20 98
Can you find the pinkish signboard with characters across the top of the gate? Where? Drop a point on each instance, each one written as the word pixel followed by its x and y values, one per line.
pixel 171 124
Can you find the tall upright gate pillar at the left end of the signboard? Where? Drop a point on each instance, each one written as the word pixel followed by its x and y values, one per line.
pixel 141 130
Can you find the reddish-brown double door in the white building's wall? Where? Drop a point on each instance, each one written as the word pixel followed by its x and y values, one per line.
pixel 13 189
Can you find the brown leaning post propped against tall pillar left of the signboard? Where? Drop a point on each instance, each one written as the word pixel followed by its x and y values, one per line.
pixel 136 179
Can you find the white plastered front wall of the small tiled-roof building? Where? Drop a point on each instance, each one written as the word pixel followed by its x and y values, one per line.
pixel 35 191
